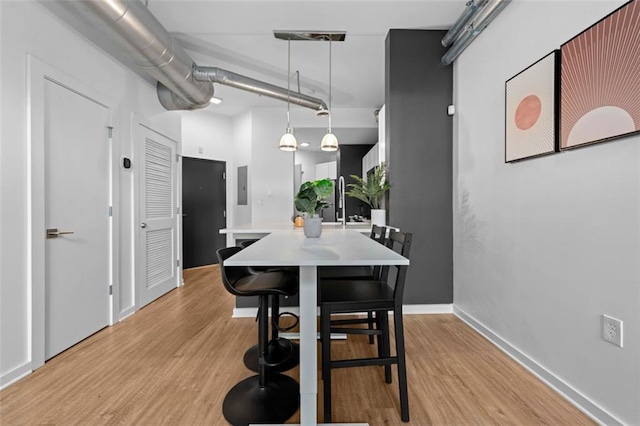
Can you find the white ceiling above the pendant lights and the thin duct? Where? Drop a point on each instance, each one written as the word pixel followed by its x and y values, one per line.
pixel 237 35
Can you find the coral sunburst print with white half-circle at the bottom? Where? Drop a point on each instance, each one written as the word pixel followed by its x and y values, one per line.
pixel 600 83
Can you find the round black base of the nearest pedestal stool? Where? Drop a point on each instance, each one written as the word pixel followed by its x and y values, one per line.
pixel 248 403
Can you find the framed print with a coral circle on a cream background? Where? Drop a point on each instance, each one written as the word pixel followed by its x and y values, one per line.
pixel 531 110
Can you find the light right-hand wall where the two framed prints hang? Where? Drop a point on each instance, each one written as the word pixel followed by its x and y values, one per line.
pixel 545 246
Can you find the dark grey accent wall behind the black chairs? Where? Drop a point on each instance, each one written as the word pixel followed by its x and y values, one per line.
pixel 418 135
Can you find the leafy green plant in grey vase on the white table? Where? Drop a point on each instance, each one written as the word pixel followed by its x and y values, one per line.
pixel 311 199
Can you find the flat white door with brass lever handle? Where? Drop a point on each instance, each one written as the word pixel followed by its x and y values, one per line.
pixel 77 195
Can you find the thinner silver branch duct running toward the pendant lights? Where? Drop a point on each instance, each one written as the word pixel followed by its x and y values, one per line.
pixel 228 78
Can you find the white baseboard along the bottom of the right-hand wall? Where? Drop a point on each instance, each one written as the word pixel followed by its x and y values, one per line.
pixel 565 390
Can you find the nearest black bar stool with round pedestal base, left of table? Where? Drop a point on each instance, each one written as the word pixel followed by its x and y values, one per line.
pixel 264 398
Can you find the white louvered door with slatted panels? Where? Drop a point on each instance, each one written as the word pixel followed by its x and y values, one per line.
pixel 158 256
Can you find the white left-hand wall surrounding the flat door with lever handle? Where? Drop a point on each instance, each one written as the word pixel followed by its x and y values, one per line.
pixel 28 28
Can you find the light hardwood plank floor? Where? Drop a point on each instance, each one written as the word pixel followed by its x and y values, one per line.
pixel 173 362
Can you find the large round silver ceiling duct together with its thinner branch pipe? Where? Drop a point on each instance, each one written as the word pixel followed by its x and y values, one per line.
pixel 150 47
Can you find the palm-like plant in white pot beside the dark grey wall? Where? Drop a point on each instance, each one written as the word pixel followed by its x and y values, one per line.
pixel 371 191
